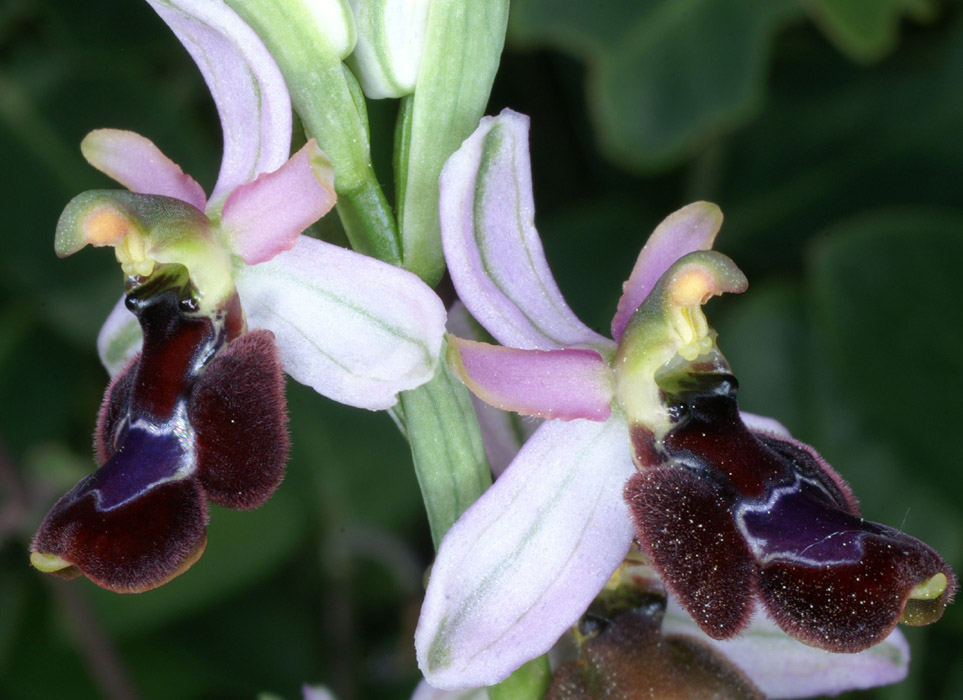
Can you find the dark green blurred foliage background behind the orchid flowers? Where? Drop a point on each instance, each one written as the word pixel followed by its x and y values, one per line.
pixel 831 134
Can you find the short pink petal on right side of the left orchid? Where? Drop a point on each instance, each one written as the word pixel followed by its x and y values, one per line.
pixel 264 217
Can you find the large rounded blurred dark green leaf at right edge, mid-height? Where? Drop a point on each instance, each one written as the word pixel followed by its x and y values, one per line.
pixel 906 361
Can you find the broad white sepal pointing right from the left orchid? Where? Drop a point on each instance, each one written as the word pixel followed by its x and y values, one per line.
pixel 351 327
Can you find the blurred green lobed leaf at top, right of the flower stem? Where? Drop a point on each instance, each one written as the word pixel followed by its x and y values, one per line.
pixel 663 77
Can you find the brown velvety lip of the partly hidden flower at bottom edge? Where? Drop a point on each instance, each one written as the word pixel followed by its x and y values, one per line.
pixel 631 660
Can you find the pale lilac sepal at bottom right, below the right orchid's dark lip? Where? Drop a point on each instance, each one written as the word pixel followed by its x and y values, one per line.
pixel 783 667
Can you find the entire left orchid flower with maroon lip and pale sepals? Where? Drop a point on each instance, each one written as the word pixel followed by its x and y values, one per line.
pixel 226 291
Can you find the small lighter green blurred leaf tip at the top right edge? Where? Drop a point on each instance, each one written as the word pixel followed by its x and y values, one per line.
pixel 867 29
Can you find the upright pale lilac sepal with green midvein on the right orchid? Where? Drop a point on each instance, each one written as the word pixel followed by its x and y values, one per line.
pixel 494 254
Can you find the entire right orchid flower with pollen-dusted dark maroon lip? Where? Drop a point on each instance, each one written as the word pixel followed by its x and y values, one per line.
pixel 737 517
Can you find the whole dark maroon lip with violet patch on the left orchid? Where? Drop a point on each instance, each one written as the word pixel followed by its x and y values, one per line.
pixel 199 415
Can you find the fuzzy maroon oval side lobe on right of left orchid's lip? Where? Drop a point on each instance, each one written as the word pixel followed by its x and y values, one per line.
pixel 239 416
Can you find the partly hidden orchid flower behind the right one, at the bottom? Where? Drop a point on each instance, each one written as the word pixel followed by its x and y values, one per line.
pixel 774 663
